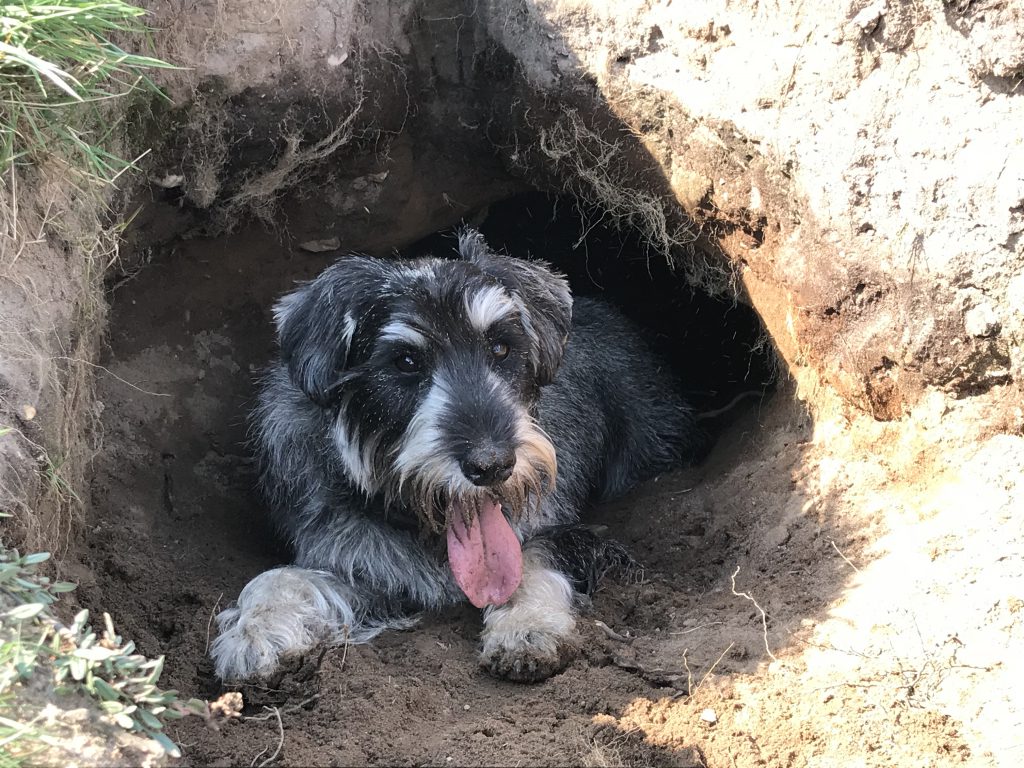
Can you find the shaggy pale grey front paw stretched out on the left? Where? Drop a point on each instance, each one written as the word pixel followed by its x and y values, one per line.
pixel 286 612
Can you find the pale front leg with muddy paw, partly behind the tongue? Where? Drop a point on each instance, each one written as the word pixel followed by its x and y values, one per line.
pixel 533 636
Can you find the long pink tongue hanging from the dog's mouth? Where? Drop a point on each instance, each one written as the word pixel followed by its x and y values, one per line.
pixel 486 557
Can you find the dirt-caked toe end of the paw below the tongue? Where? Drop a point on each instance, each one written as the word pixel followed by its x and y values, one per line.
pixel 527 657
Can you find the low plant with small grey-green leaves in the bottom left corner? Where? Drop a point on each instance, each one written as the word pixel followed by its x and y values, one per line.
pixel 37 652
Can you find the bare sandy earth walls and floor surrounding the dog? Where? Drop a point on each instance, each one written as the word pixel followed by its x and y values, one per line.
pixel 821 198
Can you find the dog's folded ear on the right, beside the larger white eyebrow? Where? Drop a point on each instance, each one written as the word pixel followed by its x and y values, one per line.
pixel 544 294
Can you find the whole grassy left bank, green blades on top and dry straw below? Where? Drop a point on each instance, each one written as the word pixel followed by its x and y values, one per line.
pixel 64 138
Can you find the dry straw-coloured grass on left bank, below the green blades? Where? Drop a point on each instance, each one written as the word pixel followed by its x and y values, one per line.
pixel 56 246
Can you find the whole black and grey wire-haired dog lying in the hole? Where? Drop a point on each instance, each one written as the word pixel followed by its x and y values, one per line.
pixel 409 439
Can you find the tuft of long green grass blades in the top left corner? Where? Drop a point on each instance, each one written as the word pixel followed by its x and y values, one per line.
pixel 59 68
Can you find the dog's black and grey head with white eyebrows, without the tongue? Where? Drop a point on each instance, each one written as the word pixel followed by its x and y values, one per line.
pixel 431 370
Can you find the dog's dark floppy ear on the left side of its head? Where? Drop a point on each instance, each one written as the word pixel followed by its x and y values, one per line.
pixel 318 323
